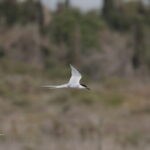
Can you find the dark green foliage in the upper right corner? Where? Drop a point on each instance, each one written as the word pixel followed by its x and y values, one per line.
pixel 126 16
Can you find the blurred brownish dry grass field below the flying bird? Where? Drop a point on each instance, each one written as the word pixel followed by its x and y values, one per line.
pixel 112 116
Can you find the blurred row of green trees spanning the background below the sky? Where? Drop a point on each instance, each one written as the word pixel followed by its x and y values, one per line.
pixel 73 34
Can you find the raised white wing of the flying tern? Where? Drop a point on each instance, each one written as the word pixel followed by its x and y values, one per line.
pixel 75 76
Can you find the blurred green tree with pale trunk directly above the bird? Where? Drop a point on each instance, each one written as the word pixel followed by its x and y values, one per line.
pixel 76 32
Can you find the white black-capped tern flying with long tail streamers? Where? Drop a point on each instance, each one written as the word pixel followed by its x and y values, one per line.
pixel 74 81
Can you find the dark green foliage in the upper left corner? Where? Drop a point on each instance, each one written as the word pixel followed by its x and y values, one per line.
pixel 12 12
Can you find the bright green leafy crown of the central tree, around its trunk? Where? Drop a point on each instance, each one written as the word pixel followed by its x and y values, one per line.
pixel 65 24
